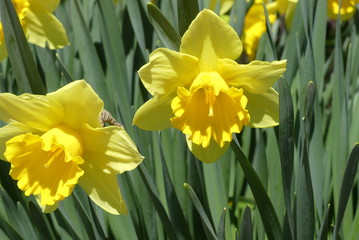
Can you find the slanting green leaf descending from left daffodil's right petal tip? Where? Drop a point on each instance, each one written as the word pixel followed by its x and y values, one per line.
pixel 167 225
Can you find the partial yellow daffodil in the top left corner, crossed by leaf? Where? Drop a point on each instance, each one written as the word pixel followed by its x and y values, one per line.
pixel 40 26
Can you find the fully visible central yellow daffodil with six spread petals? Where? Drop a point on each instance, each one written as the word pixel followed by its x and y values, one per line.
pixel 203 92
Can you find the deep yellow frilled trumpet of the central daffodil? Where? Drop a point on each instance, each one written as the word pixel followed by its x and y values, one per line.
pixel 209 110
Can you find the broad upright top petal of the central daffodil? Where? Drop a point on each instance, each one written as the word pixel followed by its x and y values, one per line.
pixel 209 38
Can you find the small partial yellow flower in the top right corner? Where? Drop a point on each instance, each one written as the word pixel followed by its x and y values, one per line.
pixel 347 9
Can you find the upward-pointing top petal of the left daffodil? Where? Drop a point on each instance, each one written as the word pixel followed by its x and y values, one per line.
pixel 80 103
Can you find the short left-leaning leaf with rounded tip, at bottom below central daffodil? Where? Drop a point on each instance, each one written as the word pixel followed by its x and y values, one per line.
pixel 210 233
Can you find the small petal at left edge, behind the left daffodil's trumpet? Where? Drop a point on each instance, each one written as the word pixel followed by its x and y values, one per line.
pixel 9 131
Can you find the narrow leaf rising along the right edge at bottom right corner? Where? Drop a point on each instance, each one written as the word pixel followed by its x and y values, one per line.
pixel 346 188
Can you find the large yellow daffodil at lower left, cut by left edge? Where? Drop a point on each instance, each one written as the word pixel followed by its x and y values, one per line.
pixel 56 141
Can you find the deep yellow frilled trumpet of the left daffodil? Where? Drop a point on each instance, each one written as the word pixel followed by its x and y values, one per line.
pixel 47 165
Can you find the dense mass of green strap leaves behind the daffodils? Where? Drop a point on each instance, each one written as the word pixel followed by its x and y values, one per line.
pixel 305 183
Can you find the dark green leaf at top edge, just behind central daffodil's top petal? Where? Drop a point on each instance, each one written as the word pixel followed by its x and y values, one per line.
pixel 187 11
